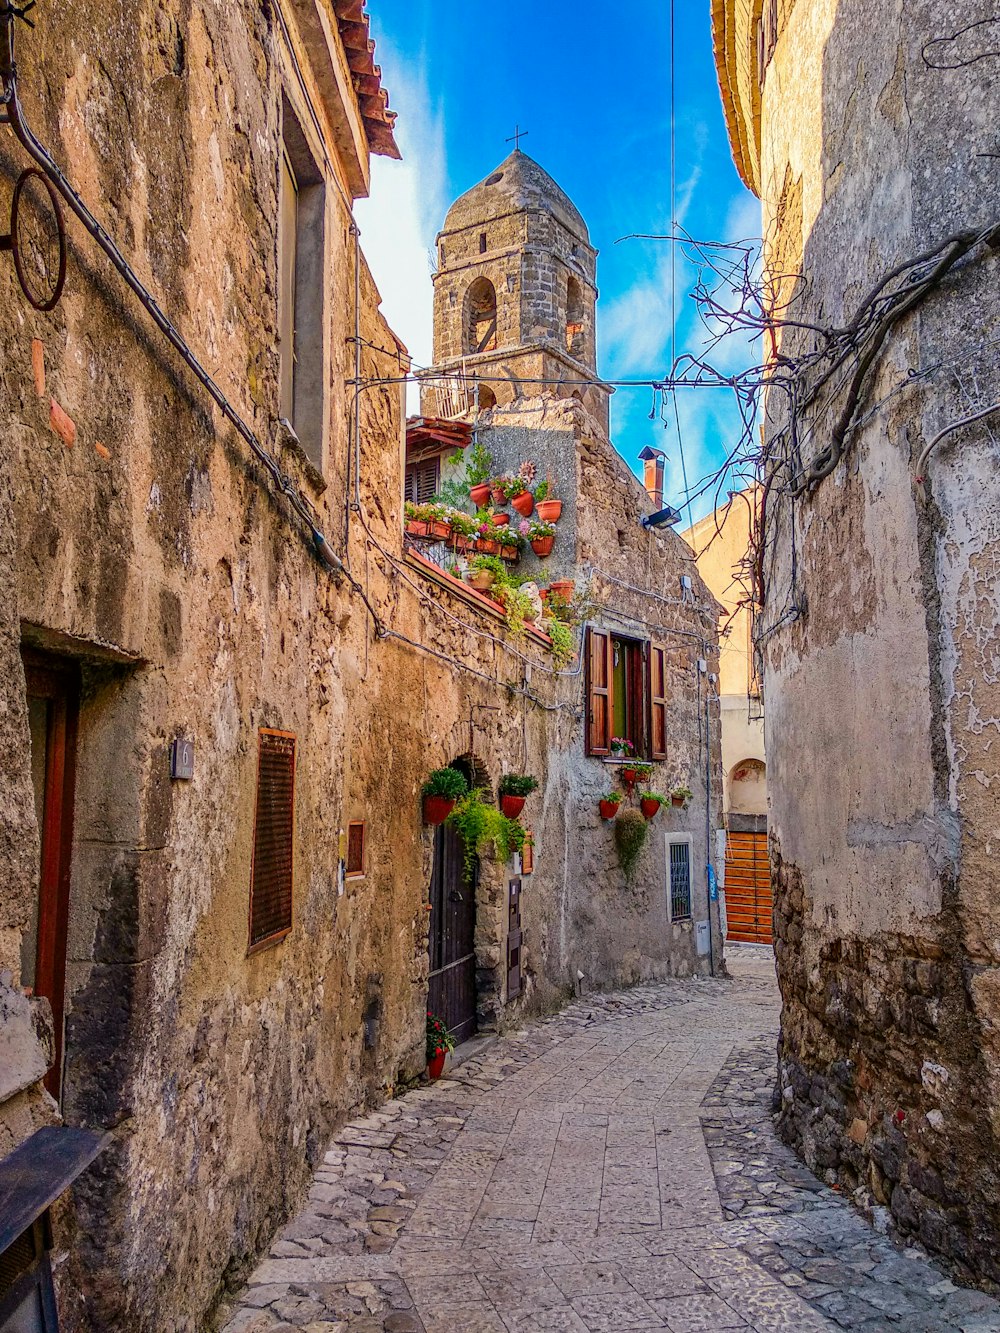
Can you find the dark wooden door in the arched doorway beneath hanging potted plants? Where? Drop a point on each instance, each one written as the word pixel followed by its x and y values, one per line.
pixel 453 992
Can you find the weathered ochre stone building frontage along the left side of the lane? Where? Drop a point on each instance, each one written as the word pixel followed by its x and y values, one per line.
pixel 226 676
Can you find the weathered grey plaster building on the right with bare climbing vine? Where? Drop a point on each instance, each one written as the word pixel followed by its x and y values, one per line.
pixel 870 134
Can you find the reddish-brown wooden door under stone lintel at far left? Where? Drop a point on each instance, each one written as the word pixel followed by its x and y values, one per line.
pixel 53 712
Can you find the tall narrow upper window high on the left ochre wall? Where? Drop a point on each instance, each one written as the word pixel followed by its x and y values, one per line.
pixel 301 289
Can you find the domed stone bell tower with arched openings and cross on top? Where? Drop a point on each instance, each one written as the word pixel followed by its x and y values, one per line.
pixel 515 297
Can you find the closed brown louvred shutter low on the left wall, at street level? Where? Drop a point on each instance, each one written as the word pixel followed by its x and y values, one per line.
pixel 274 830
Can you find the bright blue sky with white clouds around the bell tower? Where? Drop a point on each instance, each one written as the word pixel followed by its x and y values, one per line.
pixel 593 90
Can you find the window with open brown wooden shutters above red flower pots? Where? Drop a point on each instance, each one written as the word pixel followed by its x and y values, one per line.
pixel 627 695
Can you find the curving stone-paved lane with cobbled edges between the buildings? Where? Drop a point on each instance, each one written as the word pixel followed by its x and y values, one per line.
pixel 610 1170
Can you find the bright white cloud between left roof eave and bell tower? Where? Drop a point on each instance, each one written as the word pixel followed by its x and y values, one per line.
pixel 407 206
